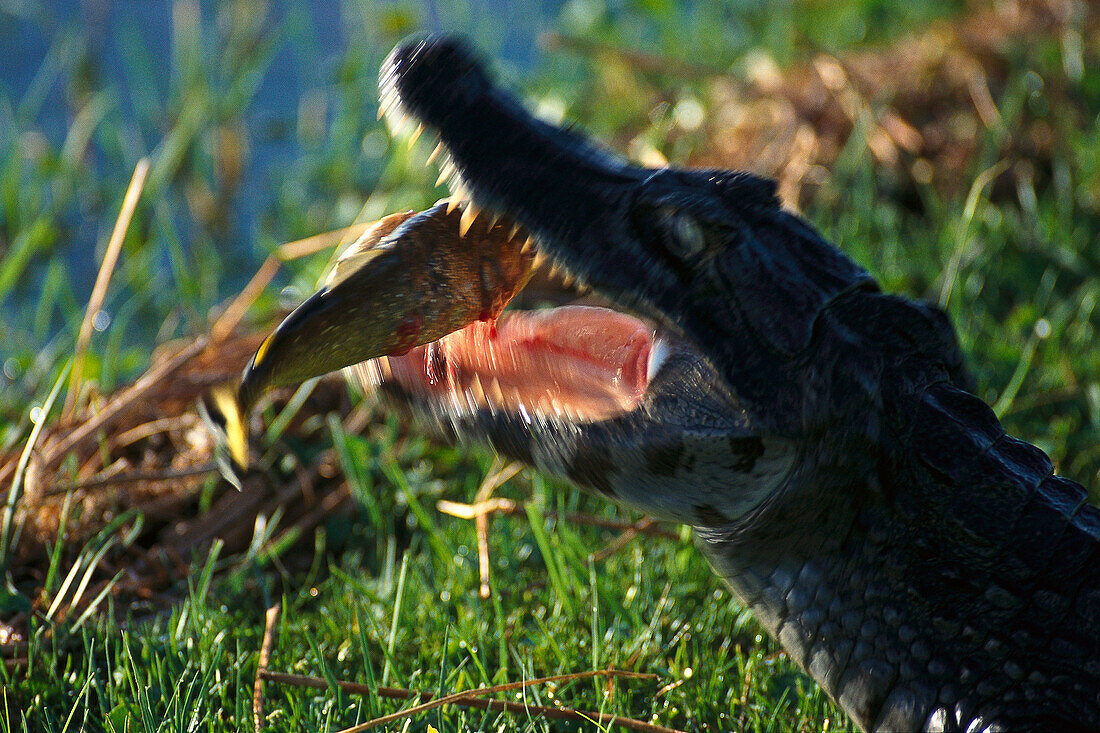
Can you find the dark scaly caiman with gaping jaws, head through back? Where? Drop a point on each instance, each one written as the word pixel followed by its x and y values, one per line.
pixel 926 568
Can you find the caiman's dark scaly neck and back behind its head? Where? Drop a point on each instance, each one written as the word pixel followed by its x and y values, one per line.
pixel 929 570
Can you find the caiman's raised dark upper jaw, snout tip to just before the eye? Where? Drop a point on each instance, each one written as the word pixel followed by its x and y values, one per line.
pixel 570 194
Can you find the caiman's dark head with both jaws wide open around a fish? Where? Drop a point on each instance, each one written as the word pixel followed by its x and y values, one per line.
pixel 716 376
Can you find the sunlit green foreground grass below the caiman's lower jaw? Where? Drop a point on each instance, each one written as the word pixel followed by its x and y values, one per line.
pixel 197 663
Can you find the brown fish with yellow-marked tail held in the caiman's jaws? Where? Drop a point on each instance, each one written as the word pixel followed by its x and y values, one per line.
pixel 412 279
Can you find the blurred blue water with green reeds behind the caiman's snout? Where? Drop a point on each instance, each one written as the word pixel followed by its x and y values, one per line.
pixel 259 119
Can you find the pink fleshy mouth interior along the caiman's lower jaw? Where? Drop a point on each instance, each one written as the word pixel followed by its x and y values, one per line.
pixel 581 363
